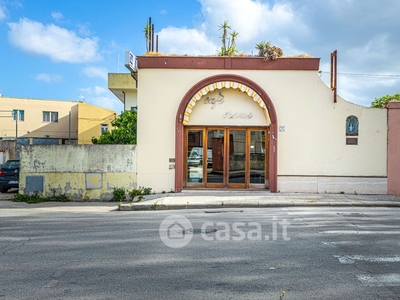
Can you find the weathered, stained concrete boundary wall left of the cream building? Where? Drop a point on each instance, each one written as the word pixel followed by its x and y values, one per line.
pixel 81 172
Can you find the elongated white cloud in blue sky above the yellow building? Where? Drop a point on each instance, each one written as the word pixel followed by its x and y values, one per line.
pixel 60 44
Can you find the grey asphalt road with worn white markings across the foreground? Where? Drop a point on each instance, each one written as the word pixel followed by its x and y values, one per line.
pixel 79 251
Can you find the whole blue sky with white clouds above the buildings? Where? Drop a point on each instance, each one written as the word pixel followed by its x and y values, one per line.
pixel 64 49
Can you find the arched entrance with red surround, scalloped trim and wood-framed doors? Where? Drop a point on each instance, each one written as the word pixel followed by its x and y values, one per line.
pixel 229 134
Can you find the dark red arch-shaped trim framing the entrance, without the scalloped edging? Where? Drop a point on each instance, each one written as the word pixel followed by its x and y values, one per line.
pixel 179 132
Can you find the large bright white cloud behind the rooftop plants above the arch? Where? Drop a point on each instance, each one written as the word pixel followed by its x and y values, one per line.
pixel 253 20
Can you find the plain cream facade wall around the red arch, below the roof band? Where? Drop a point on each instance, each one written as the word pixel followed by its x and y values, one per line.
pixel 312 145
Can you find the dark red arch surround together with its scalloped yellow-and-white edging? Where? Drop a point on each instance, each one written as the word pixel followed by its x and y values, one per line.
pixel 203 86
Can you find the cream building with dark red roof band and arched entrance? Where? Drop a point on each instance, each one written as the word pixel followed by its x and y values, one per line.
pixel 242 122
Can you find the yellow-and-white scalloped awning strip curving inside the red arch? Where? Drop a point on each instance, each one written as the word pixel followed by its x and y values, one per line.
pixel 227 85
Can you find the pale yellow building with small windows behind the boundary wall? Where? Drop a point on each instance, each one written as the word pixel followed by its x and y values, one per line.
pixel 38 121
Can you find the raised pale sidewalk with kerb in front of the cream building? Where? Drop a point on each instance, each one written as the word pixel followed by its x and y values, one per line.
pixel 200 199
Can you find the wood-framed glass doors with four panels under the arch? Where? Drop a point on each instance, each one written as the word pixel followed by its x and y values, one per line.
pixel 226 157
